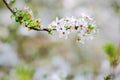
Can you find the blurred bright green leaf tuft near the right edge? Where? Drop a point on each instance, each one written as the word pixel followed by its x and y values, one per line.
pixel 111 50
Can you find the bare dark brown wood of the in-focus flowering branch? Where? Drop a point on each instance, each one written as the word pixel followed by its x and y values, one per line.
pixel 14 13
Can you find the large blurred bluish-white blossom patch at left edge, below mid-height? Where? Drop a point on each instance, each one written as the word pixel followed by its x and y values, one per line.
pixel 8 56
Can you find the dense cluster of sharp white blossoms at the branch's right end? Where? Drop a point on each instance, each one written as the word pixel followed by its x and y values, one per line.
pixel 84 27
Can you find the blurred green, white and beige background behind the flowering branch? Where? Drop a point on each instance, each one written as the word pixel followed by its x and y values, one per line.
pixel 32 55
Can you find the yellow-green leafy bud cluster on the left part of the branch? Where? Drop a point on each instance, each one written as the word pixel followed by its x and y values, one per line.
pixel 25 17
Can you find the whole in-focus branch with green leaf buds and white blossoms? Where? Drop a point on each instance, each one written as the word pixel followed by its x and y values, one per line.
pixel 84 26
